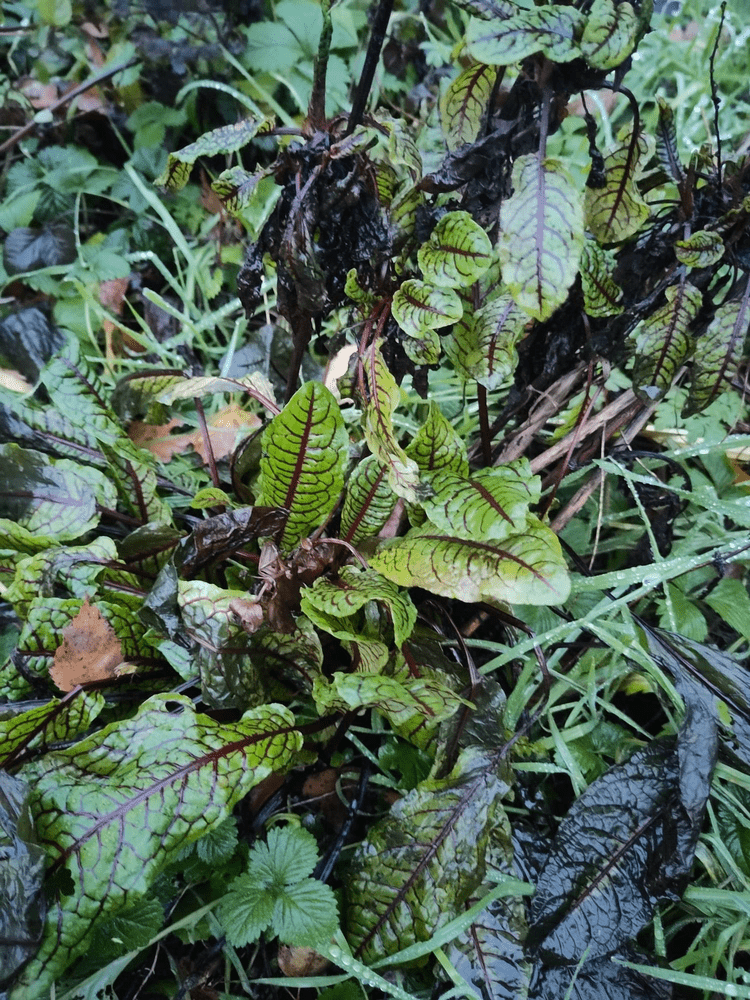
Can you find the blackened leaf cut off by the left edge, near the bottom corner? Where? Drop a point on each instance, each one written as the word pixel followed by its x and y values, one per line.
pixel 21 872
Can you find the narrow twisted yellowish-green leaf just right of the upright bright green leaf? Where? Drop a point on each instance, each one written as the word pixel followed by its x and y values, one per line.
pixel 385 395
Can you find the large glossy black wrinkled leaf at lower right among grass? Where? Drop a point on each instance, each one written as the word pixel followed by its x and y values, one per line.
pixel 625 844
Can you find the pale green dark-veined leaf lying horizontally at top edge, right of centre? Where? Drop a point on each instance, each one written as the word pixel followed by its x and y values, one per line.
pixel 553 30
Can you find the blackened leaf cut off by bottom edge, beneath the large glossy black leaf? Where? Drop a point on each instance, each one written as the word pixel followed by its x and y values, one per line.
pixel 598 979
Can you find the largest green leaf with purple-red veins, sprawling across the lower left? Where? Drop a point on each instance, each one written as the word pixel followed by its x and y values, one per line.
pixel 113 809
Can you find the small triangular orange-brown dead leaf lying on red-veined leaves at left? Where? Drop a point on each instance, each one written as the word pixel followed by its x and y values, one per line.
pixel 90 650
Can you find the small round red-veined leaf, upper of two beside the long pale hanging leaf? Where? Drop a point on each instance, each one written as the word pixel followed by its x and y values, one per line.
pixel 457 253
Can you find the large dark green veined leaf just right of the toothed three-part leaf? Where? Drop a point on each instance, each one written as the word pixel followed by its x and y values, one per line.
pixel 419 865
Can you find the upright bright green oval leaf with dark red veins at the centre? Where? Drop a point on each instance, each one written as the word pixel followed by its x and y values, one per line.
pixel 302 466
